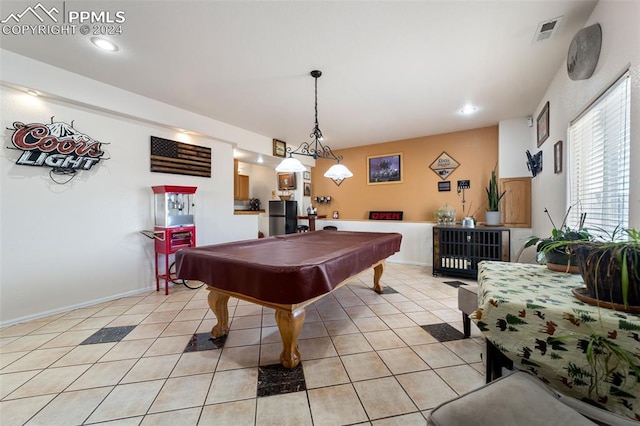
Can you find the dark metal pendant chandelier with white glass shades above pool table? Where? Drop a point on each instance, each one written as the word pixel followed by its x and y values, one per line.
pixel 338 172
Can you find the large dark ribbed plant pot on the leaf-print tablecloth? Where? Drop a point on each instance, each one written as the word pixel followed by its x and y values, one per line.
pixel 603 277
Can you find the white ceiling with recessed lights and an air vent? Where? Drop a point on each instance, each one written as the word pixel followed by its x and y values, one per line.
pixel 391 69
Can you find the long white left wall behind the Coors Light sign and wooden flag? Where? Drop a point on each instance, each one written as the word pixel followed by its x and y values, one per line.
pixel 65 246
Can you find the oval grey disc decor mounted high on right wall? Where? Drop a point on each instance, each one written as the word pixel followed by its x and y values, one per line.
pixel 584 52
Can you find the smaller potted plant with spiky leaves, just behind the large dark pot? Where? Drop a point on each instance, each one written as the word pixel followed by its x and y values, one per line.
pixel 558 256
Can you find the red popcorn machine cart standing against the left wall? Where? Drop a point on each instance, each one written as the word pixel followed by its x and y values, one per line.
pixel 174 225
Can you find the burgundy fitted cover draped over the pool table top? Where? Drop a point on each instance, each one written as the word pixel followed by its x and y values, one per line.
pixel 286 269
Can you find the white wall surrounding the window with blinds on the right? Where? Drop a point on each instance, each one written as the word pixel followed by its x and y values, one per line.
pixel 620 22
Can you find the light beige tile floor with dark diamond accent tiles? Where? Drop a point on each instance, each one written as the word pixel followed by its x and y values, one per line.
pixel 366 360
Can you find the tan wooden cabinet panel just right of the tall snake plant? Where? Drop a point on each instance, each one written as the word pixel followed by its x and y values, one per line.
pixel 516 203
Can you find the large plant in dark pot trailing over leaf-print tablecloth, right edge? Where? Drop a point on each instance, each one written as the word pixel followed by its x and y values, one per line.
pixel 610 268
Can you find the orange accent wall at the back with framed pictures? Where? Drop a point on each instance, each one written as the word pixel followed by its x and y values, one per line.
pixel 417 196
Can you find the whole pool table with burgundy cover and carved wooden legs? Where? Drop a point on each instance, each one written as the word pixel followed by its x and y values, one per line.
pixel 286 273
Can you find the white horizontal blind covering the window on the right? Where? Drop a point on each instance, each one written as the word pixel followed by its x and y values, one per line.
pixel 598 160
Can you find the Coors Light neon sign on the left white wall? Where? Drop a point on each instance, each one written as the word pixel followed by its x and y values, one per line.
pixel 57 145
